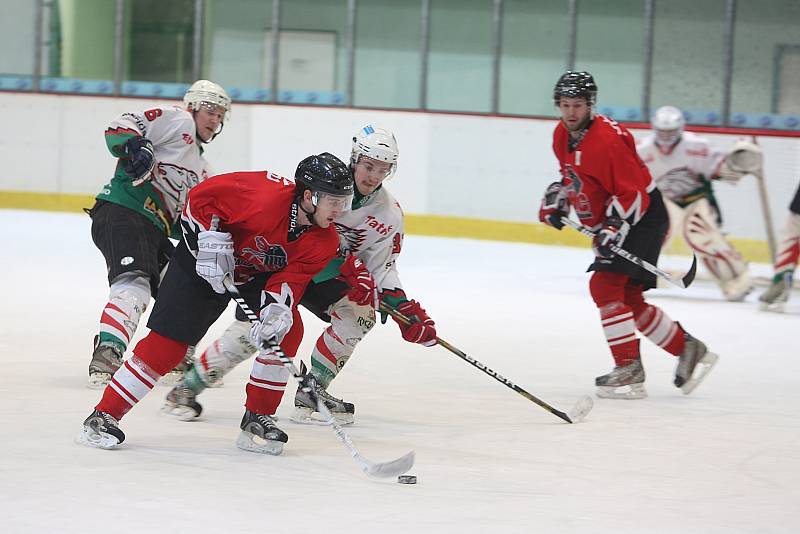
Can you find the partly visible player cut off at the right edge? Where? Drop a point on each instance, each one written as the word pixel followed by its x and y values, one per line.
pixel 776 296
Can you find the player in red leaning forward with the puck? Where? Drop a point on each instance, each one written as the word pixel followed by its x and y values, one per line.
pixel 270 237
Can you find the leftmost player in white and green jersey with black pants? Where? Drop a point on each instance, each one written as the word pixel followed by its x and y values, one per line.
pixel 159 158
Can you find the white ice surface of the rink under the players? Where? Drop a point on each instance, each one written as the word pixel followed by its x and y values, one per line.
pixel 725 459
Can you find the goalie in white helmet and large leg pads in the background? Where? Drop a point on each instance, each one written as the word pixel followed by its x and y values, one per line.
pixel 684 166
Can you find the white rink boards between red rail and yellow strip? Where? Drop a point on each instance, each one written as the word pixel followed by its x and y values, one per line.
pixel 458 165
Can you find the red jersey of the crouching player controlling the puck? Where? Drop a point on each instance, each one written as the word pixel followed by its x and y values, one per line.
pixel 259 211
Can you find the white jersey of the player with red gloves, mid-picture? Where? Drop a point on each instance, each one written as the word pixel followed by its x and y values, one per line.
pixel 374 234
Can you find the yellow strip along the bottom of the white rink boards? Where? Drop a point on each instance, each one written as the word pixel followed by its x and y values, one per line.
pixel 429 225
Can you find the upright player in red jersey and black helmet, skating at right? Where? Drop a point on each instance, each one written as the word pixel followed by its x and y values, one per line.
pixel 613 194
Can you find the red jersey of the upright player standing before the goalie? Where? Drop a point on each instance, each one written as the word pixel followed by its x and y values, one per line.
pixel 603 175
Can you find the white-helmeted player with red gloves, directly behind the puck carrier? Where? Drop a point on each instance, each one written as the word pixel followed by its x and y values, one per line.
pixel 371 237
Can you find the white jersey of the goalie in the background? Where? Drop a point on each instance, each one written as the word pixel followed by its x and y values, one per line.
pixel 680 170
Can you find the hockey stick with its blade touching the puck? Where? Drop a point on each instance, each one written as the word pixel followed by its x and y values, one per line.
pixel 378 470
